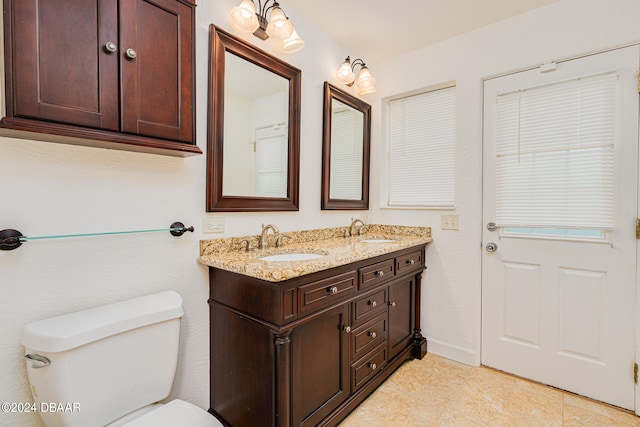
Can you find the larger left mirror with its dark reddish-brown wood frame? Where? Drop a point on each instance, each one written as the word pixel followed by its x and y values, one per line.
pixel 253 140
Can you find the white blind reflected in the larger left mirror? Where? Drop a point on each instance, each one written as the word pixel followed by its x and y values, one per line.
pixel 271 161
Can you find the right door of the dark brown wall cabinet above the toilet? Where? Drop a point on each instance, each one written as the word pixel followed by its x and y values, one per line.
pixel 156 54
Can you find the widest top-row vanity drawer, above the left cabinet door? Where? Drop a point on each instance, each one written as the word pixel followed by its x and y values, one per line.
pixel 323 293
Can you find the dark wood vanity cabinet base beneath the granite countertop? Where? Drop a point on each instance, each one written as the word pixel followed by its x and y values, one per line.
pixel 307 351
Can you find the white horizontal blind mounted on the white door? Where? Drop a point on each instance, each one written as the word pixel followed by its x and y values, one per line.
pixel 555 156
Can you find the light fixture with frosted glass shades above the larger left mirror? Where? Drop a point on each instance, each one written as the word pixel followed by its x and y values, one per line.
pixel 245 17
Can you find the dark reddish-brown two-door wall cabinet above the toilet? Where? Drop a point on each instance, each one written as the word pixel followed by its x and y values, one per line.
pixel 107 73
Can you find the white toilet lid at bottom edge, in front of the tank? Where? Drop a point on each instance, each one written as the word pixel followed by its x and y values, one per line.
pixel 176 413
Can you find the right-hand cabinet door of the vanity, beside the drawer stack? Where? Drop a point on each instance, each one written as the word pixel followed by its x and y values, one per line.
pixel 401 315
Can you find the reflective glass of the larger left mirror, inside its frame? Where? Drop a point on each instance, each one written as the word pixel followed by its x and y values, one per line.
pixel 255 130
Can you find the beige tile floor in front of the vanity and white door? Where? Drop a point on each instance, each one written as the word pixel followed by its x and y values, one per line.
pixel 442 393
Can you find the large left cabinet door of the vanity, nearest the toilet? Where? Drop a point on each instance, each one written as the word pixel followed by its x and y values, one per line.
pixel 320 361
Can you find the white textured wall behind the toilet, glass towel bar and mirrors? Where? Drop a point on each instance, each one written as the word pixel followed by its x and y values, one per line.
pixel 49 188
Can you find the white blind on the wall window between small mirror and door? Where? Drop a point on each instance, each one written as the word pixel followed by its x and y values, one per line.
pixel 422 148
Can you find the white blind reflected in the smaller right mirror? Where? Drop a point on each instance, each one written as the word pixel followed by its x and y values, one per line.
pixel 346 154
